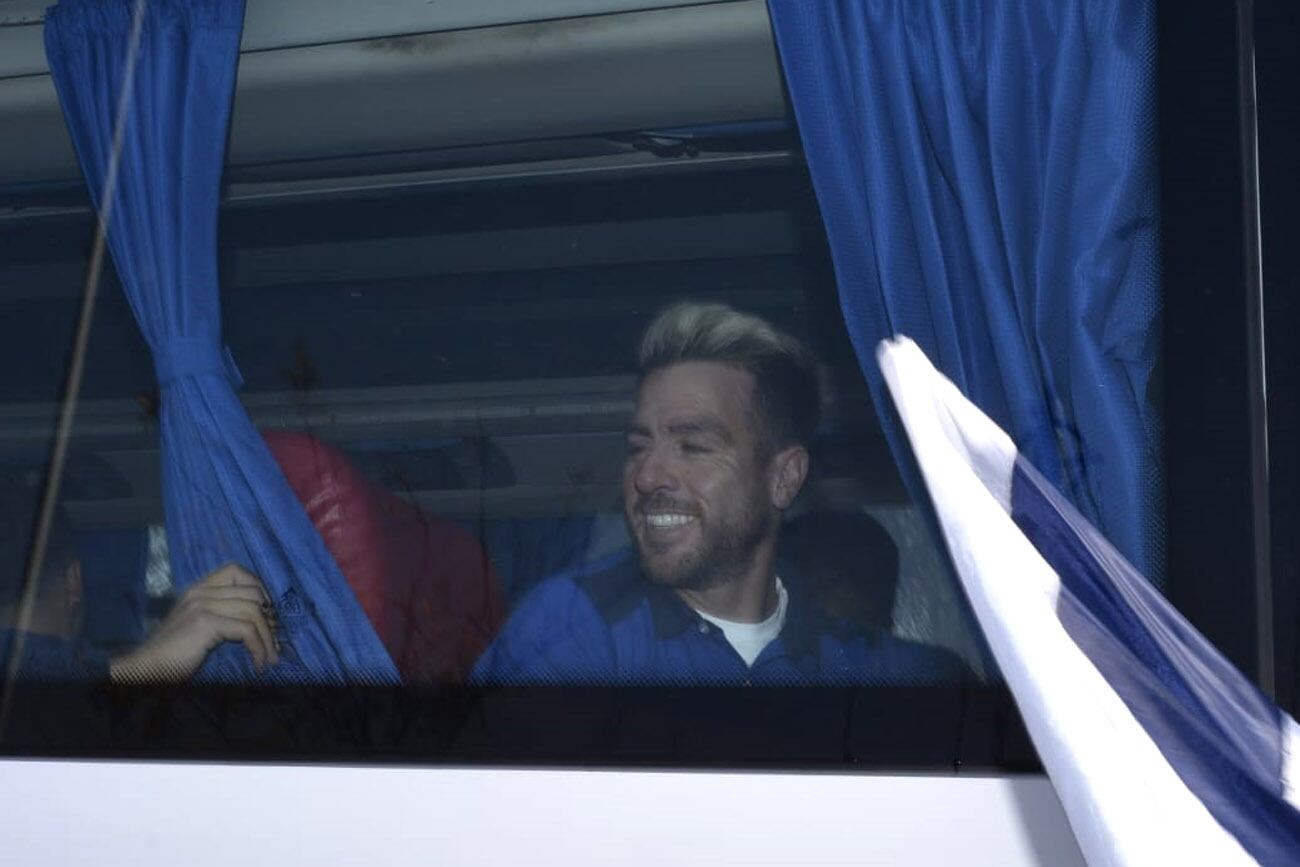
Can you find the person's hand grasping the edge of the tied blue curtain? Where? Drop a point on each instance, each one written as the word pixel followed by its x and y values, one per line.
pixel 229 605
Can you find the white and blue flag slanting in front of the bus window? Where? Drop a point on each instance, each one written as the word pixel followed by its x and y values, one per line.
pixel 1162 752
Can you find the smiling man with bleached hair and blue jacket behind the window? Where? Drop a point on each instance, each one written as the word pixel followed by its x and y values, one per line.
pixel 717 450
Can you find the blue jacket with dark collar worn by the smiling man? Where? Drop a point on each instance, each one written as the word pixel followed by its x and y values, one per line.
pixel 614 627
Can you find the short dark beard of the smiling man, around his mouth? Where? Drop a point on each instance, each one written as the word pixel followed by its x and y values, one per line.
pixel 725 553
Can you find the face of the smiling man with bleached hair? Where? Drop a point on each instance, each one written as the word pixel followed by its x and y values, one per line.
pixel 696 489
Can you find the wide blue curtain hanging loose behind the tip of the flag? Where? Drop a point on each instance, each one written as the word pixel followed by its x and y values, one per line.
pixel 986 172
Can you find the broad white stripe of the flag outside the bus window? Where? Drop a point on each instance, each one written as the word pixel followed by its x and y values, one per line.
pixel 1125 803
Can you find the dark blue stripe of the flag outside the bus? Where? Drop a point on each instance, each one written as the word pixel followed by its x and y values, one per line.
pixel 1217 731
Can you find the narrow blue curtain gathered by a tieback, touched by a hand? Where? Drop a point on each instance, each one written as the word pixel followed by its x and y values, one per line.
pixel 172 66
